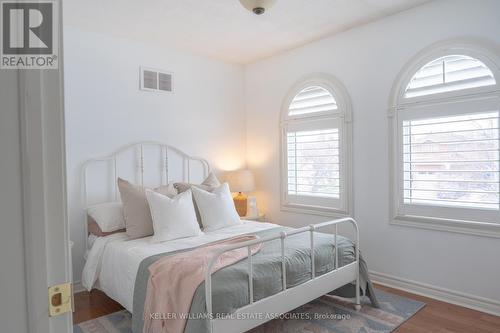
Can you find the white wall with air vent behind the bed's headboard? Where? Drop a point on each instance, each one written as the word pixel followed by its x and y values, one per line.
pixel 105 109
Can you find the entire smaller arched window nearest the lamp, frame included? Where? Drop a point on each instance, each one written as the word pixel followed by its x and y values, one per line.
pixel 315 135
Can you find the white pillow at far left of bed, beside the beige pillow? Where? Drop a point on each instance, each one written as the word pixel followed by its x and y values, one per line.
pixel 109 216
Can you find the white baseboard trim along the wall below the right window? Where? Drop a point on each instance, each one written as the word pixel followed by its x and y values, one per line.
pixel 482 304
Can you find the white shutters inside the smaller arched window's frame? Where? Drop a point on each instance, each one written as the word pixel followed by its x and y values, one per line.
pixel 312 151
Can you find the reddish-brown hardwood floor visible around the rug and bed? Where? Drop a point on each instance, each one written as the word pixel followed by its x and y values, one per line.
pixel 435 317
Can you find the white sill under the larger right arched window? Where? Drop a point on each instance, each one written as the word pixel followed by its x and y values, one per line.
pixel 457 226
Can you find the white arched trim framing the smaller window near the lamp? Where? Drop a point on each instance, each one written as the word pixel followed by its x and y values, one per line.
pixel 344 115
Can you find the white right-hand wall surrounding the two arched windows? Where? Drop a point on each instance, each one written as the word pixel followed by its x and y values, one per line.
pixel 367 60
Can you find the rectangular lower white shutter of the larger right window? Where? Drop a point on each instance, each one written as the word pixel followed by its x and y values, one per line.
pixel 452 161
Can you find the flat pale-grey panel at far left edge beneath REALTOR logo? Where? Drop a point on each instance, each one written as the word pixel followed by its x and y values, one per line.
pixel 12 279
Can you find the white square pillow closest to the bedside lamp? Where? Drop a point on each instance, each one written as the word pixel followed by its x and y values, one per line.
pixel 216 208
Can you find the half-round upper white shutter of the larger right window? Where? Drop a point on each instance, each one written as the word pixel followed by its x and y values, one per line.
pixel 449 73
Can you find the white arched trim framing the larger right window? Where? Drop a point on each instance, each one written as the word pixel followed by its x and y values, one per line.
pixel 489 95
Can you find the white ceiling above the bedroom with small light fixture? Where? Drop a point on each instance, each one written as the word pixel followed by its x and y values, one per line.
pixel 223 29
